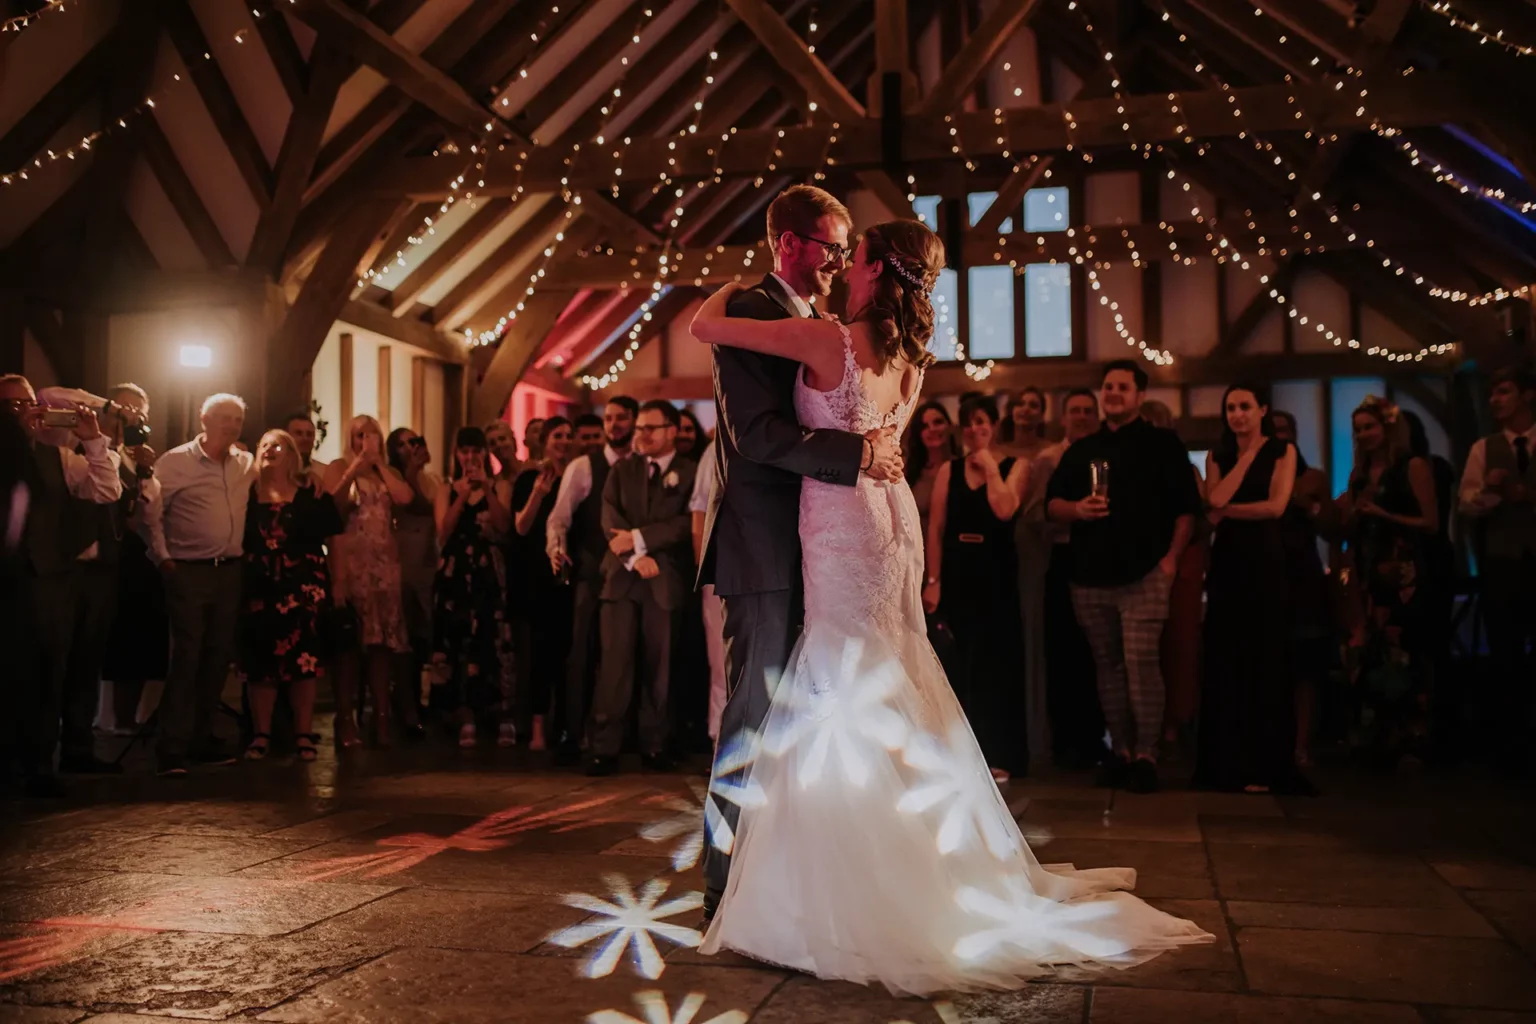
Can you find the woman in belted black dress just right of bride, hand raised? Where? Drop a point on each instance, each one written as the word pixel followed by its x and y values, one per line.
pixel 973 583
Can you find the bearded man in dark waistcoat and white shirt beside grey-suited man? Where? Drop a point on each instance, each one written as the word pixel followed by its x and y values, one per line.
pixel 577 544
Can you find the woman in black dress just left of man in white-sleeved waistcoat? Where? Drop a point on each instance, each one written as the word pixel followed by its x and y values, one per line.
pixel 541 604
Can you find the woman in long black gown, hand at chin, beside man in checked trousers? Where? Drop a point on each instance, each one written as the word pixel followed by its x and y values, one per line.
pixel 1248 725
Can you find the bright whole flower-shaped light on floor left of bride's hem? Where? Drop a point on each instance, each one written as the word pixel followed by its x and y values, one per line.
pixel 631 919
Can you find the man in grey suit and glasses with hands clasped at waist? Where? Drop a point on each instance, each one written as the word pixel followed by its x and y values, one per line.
pixel 644 587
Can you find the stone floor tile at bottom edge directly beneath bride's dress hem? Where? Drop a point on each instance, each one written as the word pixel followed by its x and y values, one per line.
pixel 803 1000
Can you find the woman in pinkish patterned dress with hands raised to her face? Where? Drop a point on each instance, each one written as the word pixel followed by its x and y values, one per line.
pixel 366 575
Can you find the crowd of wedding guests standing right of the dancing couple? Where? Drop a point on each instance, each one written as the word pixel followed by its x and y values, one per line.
pixel 1239 615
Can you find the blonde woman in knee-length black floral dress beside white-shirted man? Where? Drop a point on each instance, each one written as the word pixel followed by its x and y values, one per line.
pixel 286 587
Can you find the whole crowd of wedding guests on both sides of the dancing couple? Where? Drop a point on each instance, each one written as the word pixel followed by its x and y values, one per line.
pixel 1097 600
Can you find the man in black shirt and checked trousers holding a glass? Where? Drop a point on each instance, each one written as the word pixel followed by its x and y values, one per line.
pixel 1127 543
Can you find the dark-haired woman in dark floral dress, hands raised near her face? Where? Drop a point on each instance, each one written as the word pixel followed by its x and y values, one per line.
pixel 474 635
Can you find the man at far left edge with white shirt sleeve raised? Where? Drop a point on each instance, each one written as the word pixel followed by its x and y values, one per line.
pixel 53 540
